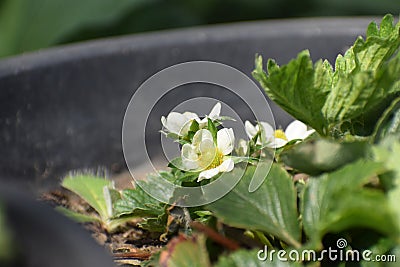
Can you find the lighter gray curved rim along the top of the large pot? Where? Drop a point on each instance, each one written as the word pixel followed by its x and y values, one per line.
pixel 320 26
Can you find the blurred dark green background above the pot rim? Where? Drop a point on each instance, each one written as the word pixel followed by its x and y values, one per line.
pixel 27 25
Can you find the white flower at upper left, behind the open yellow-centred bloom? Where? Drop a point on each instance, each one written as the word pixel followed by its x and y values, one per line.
pixel 178 123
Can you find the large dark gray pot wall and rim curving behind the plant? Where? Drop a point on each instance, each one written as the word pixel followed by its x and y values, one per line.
pixel 62 109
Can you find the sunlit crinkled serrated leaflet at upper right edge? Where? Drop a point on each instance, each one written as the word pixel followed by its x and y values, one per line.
pixel 366 75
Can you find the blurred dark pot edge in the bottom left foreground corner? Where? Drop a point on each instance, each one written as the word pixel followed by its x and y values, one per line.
pixel 44 238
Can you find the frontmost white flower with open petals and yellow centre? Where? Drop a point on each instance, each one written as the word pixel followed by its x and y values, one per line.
pixel 206 156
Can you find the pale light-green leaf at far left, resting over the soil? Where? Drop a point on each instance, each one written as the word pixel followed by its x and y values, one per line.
pixel 91 189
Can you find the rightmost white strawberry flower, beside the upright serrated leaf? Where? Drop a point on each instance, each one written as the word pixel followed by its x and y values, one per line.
pixel 278 138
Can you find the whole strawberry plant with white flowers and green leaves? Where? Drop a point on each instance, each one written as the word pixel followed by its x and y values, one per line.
pixel 339 179
